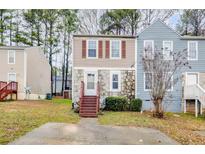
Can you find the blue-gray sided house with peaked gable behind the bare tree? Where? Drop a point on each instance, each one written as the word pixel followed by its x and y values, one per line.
pixel 191 87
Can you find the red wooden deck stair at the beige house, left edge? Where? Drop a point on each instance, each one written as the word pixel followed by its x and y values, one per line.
pixel 8 89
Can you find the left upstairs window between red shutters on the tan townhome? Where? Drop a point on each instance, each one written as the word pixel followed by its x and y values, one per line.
pixel 92 49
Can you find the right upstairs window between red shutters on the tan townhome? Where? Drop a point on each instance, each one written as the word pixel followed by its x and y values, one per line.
pixel 115 49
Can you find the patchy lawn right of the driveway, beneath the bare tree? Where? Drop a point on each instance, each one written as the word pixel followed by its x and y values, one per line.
pixel 180 127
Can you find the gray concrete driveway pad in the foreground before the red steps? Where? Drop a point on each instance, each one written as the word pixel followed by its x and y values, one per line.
pixel 88 131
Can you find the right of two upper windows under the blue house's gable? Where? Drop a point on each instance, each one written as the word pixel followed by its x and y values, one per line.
pixel 168 50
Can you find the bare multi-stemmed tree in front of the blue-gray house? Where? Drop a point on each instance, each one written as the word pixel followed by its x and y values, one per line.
pixel 162 72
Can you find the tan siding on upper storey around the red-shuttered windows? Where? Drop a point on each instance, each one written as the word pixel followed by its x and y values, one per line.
pixel 127 62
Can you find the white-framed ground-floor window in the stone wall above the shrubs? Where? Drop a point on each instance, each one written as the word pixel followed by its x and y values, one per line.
pixel 115 80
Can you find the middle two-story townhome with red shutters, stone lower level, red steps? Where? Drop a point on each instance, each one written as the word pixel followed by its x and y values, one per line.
pixel 102 66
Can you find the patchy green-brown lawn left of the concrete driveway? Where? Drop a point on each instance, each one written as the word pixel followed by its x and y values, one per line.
pixel 20 117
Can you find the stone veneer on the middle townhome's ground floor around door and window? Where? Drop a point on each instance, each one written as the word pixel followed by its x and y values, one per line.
pixel 127 84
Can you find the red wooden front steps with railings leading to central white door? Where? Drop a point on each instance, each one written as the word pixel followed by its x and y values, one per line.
pixel 89 105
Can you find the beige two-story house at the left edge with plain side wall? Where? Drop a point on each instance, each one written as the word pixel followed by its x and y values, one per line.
pixel 29 68
